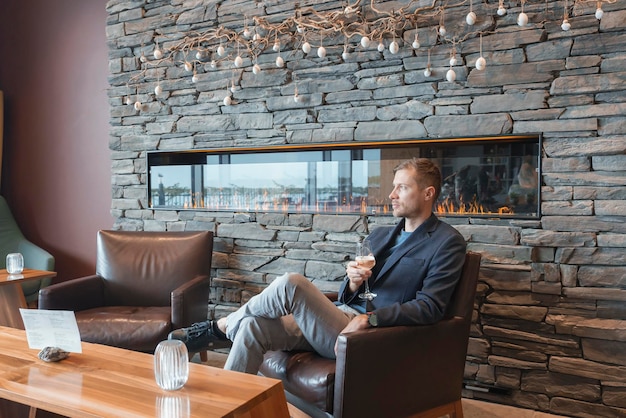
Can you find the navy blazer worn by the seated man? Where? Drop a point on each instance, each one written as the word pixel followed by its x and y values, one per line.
pixel 418 279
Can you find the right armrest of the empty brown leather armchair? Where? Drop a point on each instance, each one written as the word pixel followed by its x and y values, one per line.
pixel 190 302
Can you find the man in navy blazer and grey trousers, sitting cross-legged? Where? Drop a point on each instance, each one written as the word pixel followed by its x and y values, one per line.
pixel 418 264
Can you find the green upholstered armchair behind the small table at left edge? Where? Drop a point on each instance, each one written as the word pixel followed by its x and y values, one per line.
pixel 13 241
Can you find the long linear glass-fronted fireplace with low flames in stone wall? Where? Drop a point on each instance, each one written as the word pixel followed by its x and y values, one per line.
pixel 485 177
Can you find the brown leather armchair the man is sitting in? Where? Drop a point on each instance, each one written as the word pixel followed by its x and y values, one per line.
pixel 395 372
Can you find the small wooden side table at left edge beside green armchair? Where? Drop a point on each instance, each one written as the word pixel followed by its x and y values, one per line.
pixel 12 297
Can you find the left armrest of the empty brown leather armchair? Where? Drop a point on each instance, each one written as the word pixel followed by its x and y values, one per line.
pixel 74 295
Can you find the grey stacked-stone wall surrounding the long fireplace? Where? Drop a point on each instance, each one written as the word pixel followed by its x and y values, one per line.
pixel 550 320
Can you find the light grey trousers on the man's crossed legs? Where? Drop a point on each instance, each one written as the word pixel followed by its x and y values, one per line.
pixel 290 314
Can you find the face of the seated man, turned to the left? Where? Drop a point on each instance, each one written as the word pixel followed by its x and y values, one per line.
pixel 407 199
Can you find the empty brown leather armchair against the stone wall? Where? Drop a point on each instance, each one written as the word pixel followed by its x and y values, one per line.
pixel 146 285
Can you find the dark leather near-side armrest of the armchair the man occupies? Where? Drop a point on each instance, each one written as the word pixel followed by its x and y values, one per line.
pixel 395 370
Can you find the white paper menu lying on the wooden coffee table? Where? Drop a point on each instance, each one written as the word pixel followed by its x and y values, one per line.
pixel 51 328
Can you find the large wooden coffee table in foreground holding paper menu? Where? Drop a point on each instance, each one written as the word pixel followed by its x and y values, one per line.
pixel 105 381
